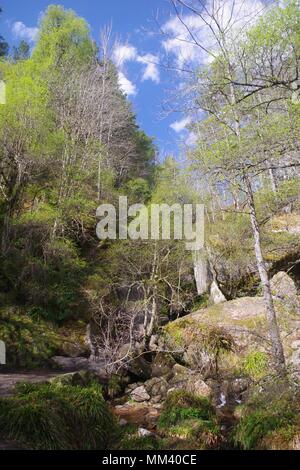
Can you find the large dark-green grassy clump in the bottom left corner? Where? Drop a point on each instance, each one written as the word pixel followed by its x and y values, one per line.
pixel 51 417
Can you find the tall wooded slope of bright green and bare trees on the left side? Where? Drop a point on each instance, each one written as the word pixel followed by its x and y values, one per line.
pixel 59 163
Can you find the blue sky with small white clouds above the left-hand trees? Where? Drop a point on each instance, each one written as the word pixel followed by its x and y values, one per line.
pixel 132 21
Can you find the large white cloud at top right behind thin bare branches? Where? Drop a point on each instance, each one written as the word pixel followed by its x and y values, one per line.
pixel 232 15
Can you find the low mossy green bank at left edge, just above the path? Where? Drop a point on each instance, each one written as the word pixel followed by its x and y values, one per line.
pixel 29 342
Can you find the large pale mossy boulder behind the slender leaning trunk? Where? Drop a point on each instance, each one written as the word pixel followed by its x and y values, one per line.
pixel 242 329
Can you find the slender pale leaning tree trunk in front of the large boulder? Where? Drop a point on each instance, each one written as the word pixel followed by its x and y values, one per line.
pixel 277 349
